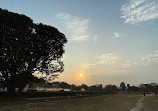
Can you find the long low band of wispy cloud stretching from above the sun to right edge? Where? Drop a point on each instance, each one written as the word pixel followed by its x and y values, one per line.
pixel 112 61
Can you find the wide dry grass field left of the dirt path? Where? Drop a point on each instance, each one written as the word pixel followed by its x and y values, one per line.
pixel 119 102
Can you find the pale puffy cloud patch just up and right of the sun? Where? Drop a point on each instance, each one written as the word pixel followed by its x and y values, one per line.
pixel 107 59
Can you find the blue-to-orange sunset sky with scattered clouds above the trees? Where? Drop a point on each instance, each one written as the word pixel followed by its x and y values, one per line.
pixel 109 41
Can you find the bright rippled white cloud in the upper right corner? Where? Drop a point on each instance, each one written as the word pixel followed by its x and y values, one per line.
pixel 137 11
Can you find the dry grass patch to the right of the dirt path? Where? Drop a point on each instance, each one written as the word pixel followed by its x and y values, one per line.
pixel 150 103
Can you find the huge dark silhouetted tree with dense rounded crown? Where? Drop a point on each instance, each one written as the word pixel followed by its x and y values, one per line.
pixel 26 47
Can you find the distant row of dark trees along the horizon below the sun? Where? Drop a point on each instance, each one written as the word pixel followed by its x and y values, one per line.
pixel 123 88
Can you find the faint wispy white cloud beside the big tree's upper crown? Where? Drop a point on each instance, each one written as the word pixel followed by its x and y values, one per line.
pixel 75 27
